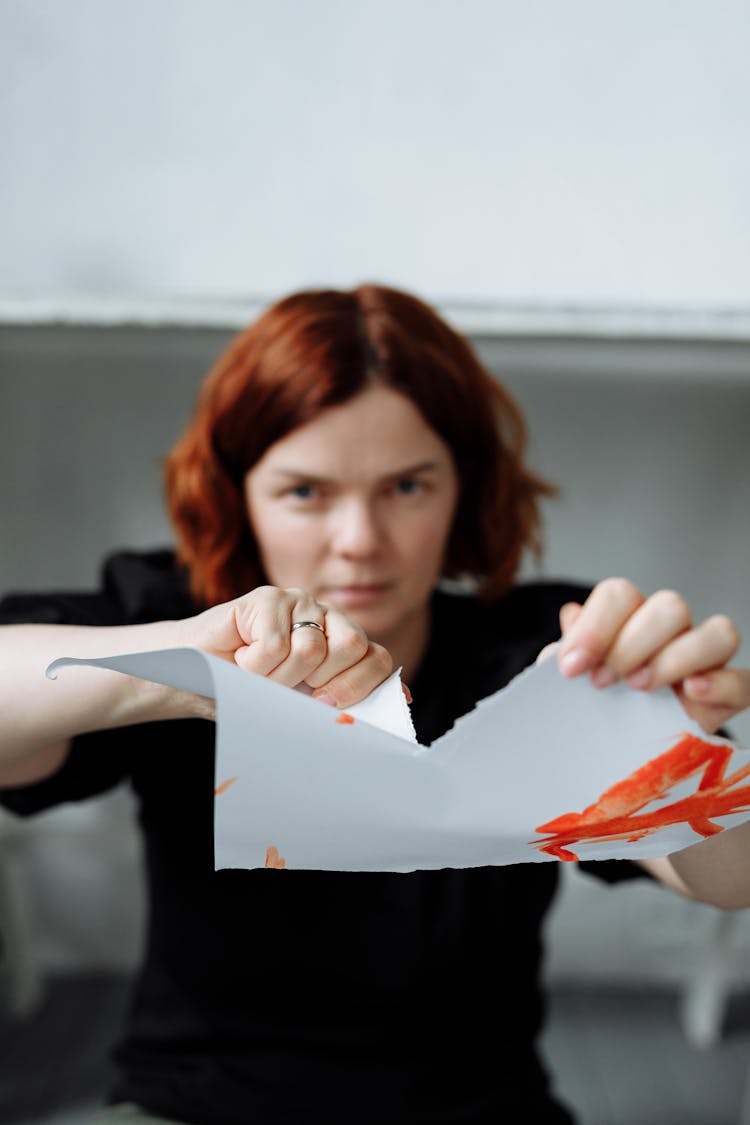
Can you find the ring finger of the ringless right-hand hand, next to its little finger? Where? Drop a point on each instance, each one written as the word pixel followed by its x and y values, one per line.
pixel 709 646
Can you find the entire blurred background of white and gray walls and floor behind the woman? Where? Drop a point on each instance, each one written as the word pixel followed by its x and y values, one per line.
pixel 570 185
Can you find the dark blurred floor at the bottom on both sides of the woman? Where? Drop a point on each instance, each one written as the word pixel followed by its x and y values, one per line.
pixel 619 1056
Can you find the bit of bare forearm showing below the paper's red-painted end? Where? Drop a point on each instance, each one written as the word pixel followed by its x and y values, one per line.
pixel 715 871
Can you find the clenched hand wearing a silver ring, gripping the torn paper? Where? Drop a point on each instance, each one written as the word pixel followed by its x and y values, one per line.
pixel 338 662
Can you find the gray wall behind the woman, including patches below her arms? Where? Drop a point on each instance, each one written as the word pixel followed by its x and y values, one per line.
pixel 648 440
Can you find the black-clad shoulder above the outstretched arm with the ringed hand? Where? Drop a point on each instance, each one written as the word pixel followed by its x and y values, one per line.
pixel 137 587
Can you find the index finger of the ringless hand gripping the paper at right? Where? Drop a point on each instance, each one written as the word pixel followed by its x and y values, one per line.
pixel 586 643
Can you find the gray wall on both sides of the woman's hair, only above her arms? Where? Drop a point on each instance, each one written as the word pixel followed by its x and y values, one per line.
pixel 648 442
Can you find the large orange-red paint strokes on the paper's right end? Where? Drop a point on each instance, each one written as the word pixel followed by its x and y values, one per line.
pixel 617 814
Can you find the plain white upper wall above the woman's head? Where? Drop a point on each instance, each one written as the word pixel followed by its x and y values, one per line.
pixel 482 150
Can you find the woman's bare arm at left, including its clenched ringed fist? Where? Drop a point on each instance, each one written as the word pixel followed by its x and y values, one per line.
pixel 39 717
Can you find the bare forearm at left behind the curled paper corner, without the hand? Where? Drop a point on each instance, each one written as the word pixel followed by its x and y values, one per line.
pixel 38 714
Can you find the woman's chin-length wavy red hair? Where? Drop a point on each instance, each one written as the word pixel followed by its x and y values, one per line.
pixel 319 349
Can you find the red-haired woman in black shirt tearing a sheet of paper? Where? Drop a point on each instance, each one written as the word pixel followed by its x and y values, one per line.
pixel 348 452
